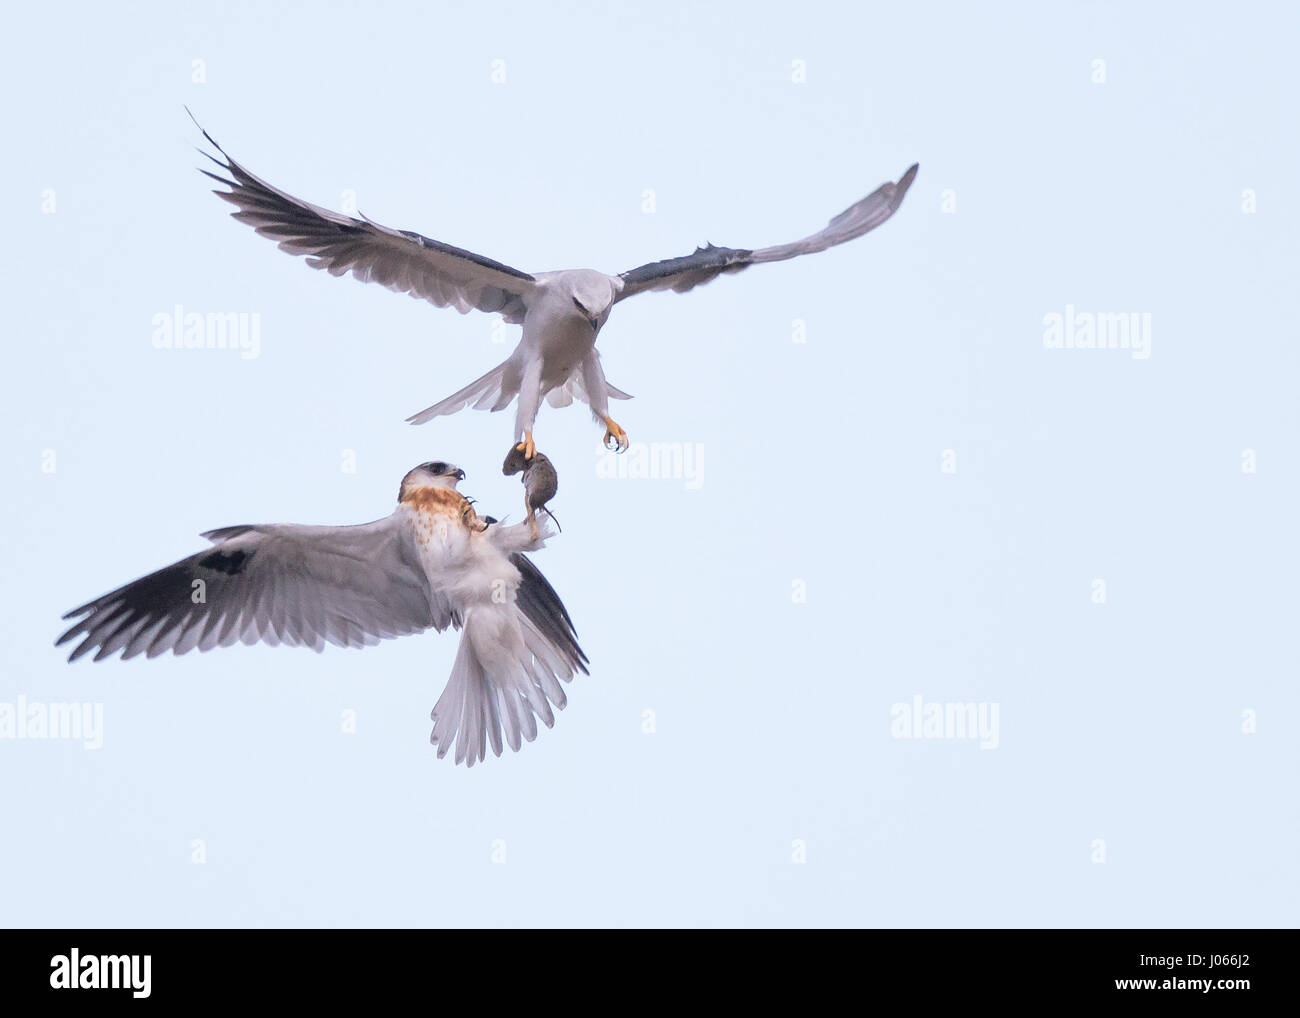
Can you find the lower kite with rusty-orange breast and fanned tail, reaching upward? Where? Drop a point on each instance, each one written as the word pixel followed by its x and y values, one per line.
pixel 434 564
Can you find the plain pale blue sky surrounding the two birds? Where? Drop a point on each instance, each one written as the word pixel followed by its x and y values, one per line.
pixel 1124 790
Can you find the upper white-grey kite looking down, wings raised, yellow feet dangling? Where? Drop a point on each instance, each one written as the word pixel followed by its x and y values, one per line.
pixel 562 313
